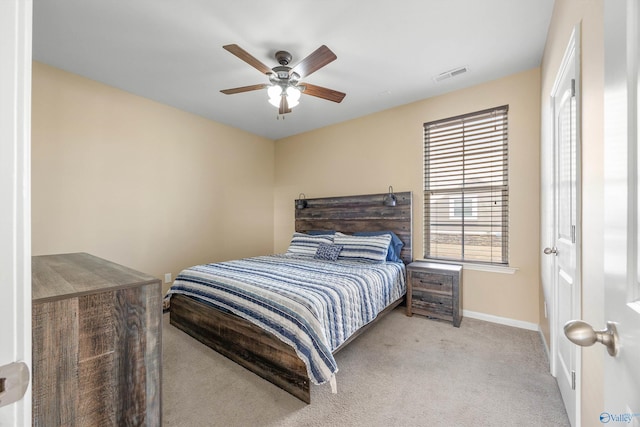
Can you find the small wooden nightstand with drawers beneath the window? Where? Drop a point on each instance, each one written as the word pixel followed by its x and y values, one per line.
pixel 435 290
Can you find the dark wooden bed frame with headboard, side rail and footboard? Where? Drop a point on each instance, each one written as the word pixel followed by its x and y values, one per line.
pixel 264 353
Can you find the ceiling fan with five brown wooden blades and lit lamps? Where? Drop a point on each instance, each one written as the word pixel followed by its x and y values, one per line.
pixel 285 87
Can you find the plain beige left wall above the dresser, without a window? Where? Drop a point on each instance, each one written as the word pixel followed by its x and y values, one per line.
pixel 141 183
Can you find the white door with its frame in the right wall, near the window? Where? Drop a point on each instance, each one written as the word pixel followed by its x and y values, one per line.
pixel 565 241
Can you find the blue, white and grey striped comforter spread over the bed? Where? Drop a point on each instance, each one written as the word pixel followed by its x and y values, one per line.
pixel 312 305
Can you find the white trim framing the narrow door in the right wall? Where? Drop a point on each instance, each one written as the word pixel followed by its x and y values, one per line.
pixel 572 56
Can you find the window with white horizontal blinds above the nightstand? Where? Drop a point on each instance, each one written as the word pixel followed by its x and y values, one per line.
pixel 466 189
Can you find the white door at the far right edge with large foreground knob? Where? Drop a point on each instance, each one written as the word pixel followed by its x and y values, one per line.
pixel 622 265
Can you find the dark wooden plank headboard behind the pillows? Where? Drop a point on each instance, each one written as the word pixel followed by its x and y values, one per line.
pixel 349 214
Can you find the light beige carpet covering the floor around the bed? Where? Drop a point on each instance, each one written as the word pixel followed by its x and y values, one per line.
pixel 405 371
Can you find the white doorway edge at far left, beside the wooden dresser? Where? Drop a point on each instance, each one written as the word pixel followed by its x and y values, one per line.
pixel 15 216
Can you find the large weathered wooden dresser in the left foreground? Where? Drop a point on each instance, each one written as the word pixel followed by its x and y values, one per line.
pixel 96 343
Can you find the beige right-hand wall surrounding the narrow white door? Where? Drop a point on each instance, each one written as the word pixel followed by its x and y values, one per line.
pixel 589 14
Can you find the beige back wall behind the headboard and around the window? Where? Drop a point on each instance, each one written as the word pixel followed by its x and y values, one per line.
pixel 366 155
